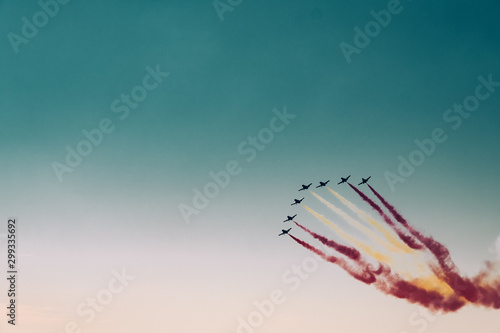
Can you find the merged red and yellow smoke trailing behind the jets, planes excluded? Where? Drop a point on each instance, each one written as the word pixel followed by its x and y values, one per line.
pixel 428 290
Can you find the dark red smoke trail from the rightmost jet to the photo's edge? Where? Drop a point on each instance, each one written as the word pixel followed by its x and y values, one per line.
pixel 475 290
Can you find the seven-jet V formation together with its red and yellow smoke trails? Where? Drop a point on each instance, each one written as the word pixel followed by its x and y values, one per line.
pixel 411 265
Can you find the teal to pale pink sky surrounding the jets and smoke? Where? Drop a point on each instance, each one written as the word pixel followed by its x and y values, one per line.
pixel 115 114
